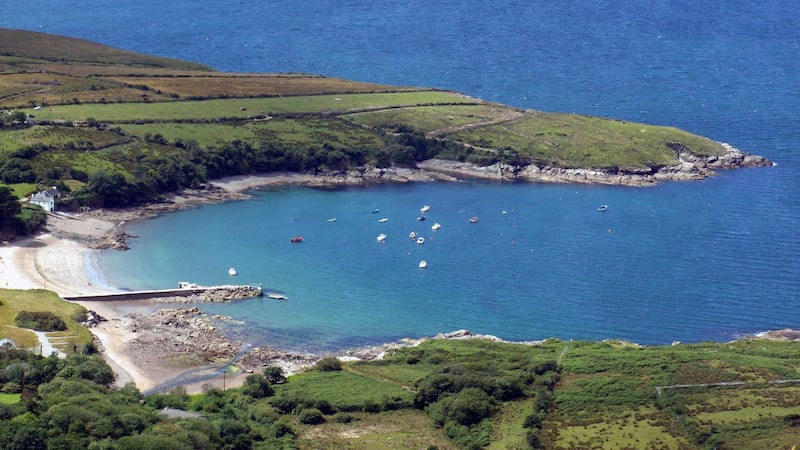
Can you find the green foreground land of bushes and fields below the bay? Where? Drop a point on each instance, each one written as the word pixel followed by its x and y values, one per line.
pixel 440 394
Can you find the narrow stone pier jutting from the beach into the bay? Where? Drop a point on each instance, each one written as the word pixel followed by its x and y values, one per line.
pixel 215 293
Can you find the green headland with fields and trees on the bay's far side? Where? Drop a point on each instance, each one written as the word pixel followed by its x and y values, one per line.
pixel 112 128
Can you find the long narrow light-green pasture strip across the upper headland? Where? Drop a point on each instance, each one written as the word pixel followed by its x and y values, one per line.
pixel 240 108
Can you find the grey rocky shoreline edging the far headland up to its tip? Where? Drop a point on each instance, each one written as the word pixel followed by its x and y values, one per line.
pixel 690 167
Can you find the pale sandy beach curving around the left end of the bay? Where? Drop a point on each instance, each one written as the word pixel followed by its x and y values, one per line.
pixel 60 260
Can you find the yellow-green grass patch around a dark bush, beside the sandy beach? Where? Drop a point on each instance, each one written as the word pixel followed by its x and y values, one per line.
pixel 14 301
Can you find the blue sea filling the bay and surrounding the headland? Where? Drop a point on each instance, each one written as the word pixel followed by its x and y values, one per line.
pixel 682 261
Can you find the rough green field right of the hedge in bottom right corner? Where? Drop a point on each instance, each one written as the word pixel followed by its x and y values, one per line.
pixel 608 396
